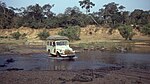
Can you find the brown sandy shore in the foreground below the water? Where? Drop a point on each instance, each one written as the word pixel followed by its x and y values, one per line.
pixel 98 76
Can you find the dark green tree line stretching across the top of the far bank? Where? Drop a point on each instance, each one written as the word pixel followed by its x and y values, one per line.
pixel 35 16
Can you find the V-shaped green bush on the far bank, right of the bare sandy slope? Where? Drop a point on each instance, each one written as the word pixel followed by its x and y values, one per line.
pixel 126 31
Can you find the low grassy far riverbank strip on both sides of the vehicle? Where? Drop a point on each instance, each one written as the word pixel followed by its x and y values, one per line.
pixel 108 46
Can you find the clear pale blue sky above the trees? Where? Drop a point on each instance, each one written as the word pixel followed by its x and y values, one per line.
pixel 61 5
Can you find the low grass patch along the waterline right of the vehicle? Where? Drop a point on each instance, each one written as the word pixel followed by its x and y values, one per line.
pixel 111 46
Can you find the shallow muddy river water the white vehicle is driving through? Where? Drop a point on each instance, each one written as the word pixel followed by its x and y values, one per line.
pixel 85 60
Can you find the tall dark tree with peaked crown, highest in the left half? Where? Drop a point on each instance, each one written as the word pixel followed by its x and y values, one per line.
pixel 33 16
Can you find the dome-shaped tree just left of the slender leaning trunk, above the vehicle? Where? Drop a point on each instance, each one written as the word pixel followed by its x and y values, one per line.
pixel 74 17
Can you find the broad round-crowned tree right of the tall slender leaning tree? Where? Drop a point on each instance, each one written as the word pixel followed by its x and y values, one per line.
pixel 111 14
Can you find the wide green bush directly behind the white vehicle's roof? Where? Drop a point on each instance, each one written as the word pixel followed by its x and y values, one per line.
pixel 72 32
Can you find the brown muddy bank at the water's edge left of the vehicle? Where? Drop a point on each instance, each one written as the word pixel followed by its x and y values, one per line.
pixel 21 49
